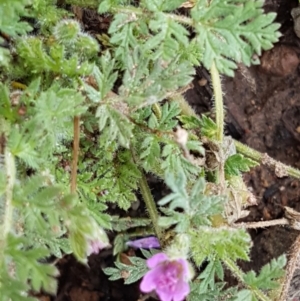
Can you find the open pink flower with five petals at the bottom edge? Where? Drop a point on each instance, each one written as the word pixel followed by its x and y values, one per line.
pixel 169 278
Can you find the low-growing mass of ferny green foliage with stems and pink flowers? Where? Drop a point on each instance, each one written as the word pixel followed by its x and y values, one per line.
pixel 82 123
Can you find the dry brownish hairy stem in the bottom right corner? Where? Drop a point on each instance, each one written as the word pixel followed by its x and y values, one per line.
pixel 290 269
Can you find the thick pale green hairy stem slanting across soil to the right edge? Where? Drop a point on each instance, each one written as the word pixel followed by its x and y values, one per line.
pixel 266 160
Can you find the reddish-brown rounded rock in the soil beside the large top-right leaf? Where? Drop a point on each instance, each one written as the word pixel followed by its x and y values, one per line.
pixel 279 61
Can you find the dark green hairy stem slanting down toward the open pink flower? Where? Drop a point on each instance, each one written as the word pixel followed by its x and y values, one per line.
pixel 150 204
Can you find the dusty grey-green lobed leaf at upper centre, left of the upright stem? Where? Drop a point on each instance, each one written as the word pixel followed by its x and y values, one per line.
pixel 147 81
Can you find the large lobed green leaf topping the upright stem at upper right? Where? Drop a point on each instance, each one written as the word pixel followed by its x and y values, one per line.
pixel 233 30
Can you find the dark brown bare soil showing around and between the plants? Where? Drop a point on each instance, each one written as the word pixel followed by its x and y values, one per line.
pixel 263 111
